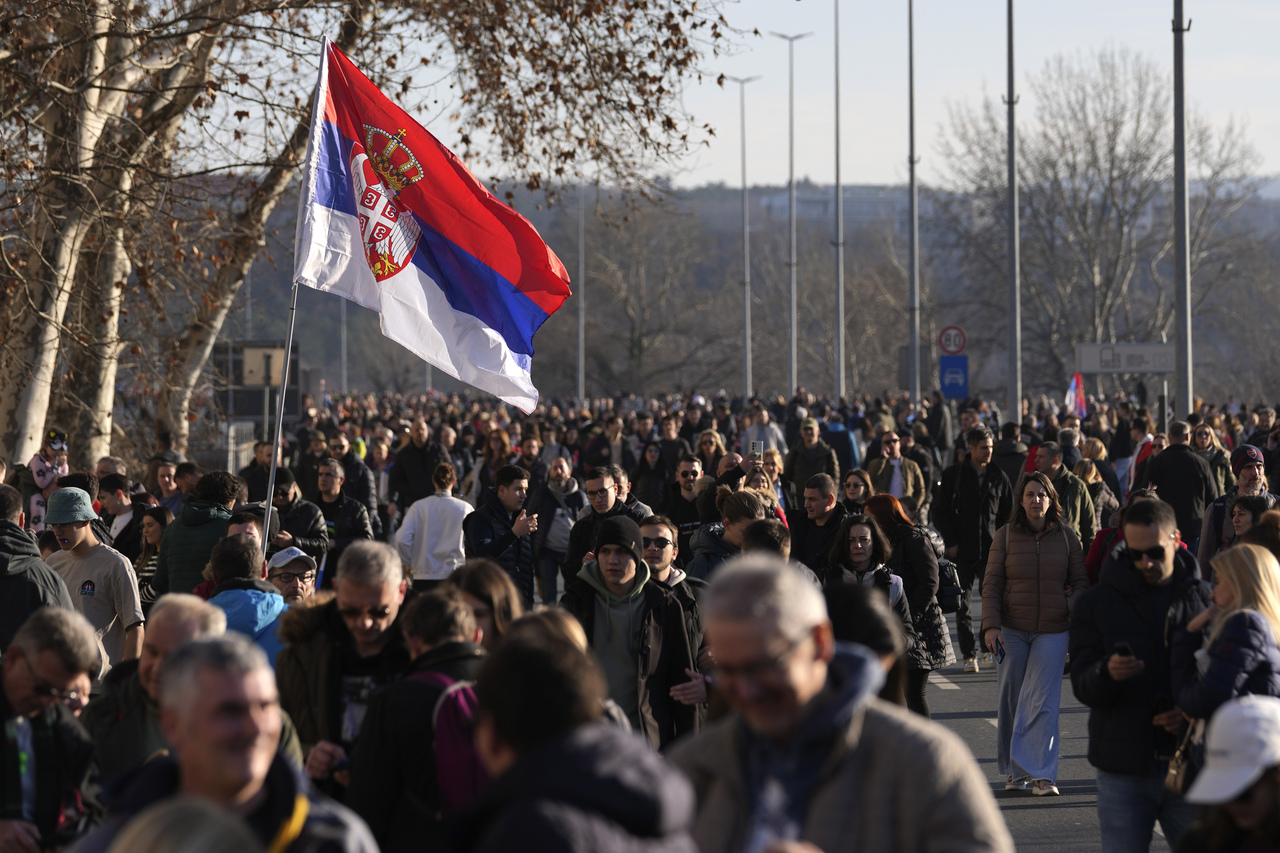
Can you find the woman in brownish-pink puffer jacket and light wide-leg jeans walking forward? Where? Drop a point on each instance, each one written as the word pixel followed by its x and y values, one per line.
pixel 1035 567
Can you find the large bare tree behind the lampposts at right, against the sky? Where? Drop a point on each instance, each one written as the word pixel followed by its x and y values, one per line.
pixel 1095 177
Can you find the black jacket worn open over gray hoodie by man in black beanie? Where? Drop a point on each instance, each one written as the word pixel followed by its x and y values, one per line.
pixel 652 624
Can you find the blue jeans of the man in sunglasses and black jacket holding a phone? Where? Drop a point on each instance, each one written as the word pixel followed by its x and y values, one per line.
pixel 1130 808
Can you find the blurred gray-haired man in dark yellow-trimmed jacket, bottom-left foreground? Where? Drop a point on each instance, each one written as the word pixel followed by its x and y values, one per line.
pixel 221 711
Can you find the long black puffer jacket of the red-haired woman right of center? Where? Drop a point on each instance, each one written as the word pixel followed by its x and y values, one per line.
pixel 917 564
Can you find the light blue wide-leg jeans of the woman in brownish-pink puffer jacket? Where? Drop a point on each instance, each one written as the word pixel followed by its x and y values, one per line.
pixel 1031 691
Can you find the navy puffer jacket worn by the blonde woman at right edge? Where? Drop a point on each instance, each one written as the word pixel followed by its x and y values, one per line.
pixel 1245 659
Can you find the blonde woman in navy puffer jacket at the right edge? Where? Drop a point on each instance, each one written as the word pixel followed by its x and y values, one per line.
pixel 1231 649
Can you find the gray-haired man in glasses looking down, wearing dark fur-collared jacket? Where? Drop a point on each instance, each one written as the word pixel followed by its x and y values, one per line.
pixel 339 651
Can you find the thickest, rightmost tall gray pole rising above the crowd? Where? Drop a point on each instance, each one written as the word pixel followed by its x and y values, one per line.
pixel 1185 389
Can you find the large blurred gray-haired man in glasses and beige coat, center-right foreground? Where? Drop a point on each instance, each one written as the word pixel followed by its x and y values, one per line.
pixel 761 776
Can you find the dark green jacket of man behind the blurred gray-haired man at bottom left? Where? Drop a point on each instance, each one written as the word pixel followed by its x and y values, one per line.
pixel 125 724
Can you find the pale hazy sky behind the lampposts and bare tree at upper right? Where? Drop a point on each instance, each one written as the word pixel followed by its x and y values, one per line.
pixel 1233 71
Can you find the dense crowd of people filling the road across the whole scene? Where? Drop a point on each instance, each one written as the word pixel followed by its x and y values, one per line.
pixel 660 624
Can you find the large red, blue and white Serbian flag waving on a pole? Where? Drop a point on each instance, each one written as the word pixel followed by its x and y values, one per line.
pixel 390 218
